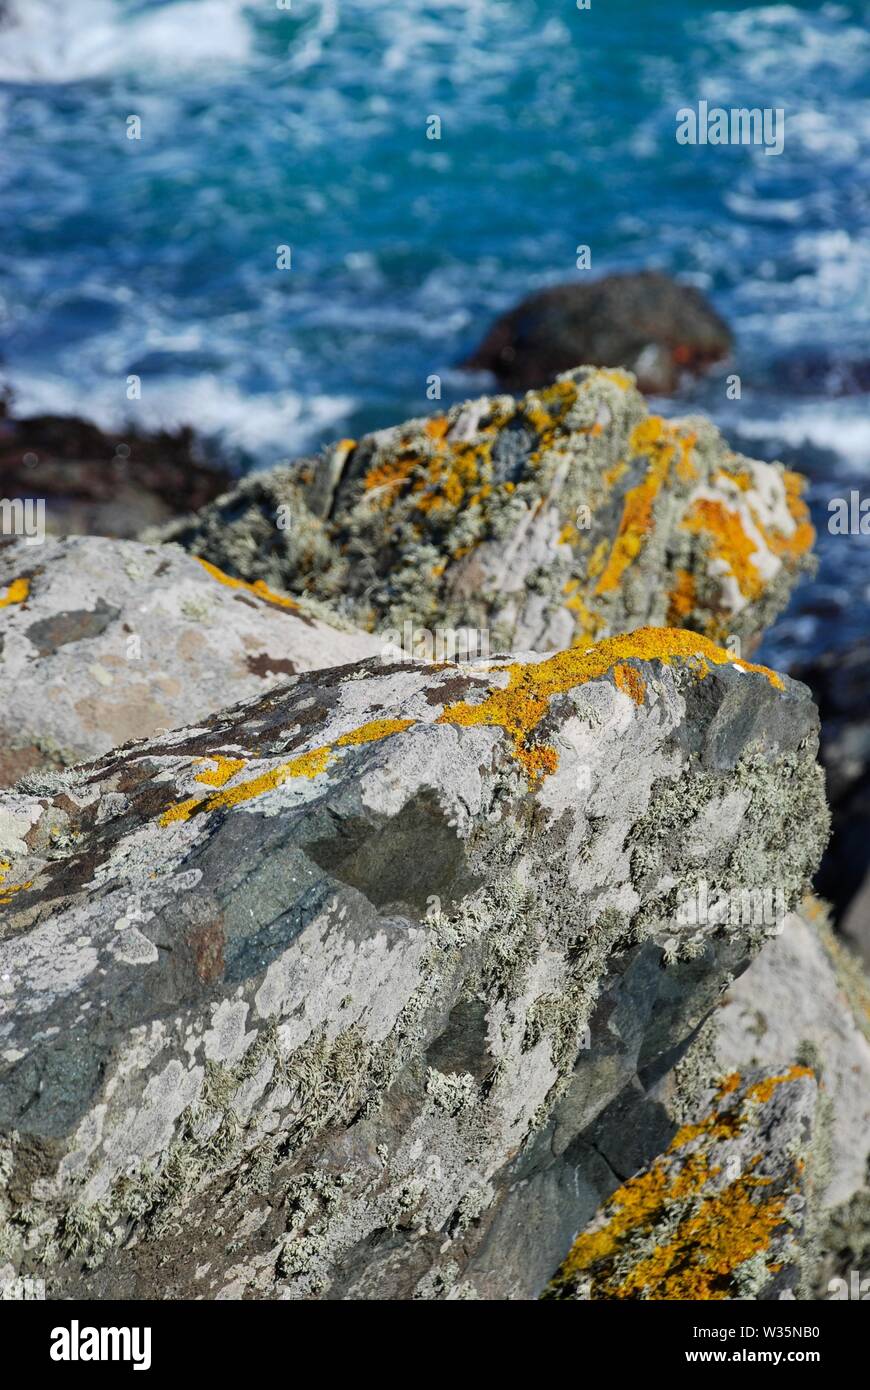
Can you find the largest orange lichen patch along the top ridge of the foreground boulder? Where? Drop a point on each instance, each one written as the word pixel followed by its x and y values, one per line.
pixel 523 701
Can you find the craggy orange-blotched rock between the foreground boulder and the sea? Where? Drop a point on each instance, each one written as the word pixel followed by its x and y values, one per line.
pixel 562 518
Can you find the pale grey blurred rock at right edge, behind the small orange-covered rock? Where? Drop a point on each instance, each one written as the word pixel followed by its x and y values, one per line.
pixel 805 996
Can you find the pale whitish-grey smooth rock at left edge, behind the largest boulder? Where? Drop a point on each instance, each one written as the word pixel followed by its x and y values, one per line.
pixel 104 641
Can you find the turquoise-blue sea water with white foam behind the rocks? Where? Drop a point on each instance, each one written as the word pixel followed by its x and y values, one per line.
pixel 265 127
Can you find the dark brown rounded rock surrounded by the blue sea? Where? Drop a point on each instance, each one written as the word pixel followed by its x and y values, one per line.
pixel 644 322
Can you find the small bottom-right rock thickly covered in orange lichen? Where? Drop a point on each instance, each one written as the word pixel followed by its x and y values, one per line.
pixel 723 1214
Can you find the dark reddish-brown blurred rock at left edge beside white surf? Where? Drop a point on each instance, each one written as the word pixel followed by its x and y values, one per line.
pixel 94 482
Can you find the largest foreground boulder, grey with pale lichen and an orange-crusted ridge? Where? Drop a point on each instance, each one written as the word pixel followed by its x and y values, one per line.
pixel 369 988
